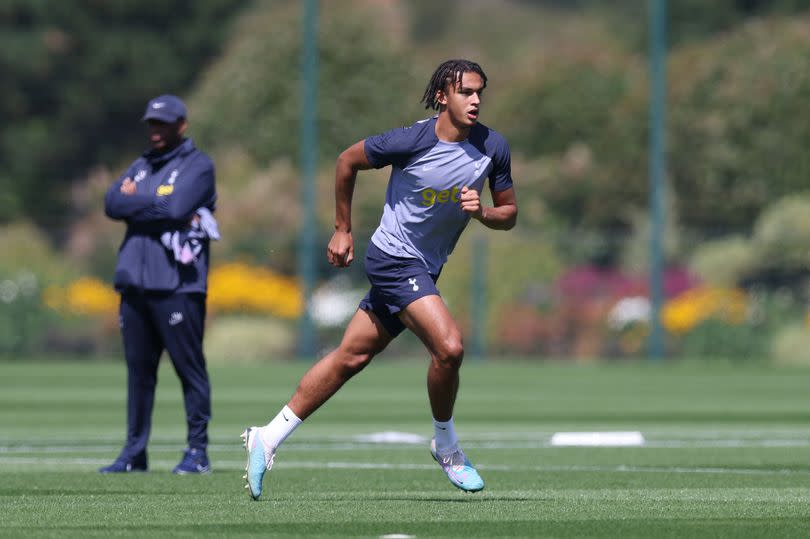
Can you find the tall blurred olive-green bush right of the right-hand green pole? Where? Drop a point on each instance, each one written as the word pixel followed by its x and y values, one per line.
pixel 726 153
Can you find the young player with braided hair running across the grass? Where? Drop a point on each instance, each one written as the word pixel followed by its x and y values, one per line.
pixel 438 168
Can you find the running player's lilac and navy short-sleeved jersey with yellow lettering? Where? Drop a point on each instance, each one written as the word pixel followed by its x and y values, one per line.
pixel 422 217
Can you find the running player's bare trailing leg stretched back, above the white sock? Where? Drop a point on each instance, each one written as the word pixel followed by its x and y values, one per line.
pixel 364 338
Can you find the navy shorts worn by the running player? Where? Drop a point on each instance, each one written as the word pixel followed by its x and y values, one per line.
pixel 395 283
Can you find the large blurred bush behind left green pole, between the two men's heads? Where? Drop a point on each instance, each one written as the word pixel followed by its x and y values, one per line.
pixel 251 97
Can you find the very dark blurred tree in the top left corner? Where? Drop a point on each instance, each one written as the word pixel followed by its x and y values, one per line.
pixel 75 77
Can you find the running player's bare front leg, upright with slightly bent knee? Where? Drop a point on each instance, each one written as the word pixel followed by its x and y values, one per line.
pixel 430 320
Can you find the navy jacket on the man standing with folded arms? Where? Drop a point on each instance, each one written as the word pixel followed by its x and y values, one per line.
pixel 170 188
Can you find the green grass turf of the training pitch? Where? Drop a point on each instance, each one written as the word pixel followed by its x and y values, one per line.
pixel 727 454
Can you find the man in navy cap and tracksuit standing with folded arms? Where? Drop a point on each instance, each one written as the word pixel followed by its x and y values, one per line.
pixel 166 198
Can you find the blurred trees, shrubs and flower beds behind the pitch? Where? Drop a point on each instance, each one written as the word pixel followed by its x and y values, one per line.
pixel 568 88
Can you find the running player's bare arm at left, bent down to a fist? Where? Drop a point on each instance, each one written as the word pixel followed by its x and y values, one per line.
pixel 340 251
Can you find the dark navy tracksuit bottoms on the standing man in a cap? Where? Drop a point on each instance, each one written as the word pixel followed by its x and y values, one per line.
pixel 150 323
